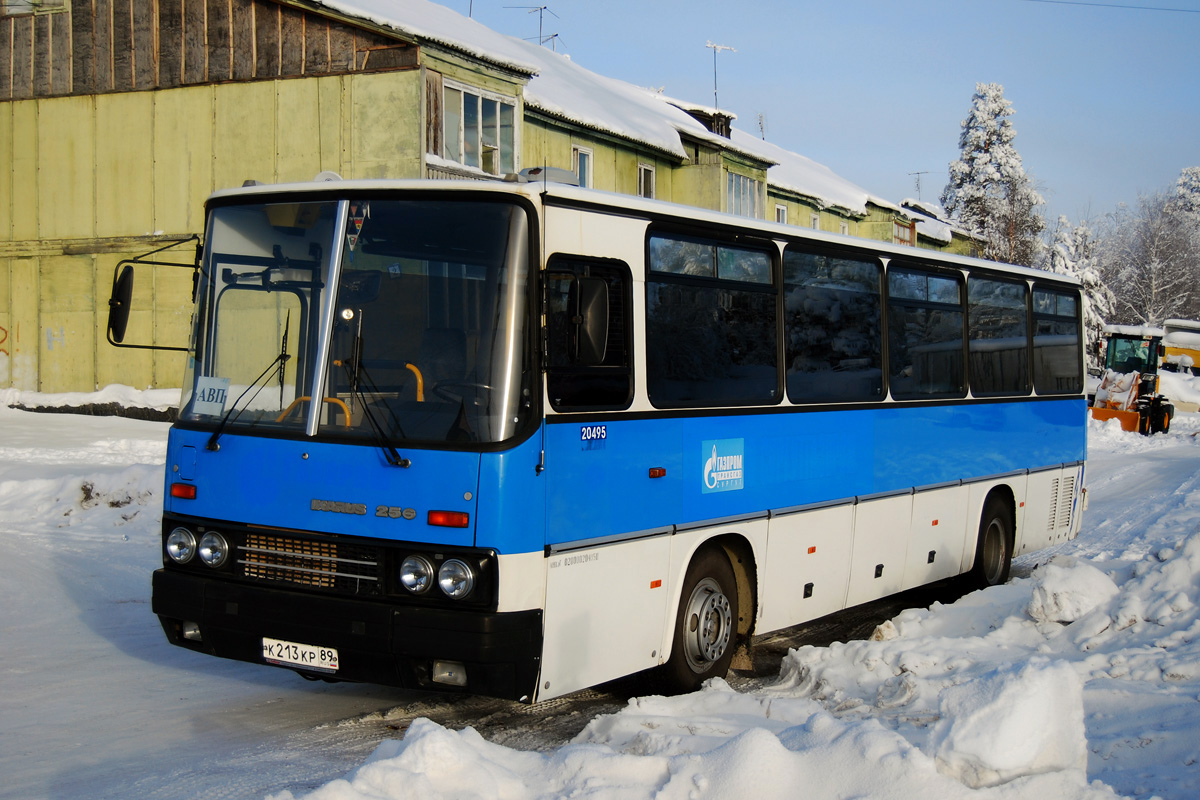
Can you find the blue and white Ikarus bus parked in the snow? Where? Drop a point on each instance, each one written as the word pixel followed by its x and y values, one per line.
pixel 519 440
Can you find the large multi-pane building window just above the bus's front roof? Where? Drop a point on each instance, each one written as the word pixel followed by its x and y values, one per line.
pixel 478 130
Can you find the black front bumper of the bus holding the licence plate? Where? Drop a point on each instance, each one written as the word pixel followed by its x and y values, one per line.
pixel 376 642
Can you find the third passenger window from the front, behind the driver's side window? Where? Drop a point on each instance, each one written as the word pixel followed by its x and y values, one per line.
pixel 926 335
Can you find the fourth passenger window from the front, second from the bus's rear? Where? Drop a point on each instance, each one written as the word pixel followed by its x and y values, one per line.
pixel 1000 347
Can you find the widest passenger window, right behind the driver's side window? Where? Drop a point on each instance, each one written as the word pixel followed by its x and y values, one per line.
pixel 711 333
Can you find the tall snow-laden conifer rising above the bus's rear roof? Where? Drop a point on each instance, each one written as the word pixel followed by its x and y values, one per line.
pixel 989 193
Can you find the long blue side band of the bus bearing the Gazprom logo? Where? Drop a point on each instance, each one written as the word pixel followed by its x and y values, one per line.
pixel 601 485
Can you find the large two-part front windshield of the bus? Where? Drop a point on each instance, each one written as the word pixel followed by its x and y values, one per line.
pixel 407 320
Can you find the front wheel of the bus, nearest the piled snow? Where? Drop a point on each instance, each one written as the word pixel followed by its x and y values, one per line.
pixel 706 624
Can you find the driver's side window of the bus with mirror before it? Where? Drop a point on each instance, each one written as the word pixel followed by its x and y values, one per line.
pixel 577 380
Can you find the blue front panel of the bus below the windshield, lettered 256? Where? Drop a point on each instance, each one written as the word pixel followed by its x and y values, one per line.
pixel 275 482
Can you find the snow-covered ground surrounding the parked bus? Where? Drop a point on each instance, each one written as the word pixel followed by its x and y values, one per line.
pixel 1079 679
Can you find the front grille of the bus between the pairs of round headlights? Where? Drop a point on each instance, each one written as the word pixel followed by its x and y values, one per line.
pixel 333 567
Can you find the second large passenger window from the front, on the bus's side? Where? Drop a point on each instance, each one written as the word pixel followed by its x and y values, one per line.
pixel 833 328
